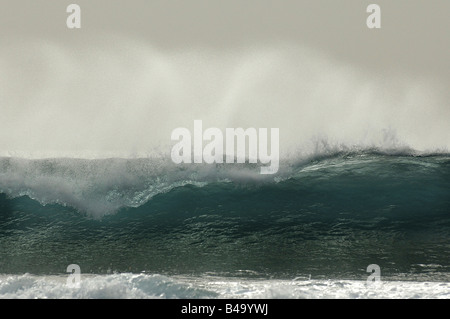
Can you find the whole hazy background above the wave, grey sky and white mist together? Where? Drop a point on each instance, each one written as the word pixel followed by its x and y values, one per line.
pixel 138 69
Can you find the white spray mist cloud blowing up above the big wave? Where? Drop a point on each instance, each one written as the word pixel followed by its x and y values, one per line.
pixel 118 97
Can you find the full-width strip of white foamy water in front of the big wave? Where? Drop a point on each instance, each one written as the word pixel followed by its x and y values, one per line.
pixel 151 286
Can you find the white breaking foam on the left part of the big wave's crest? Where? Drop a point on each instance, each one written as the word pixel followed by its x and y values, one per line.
pixel 102 187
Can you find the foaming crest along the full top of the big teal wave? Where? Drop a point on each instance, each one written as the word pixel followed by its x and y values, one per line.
pixel 101 187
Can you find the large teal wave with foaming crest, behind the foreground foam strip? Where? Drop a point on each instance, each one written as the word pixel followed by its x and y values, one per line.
pixel 328 217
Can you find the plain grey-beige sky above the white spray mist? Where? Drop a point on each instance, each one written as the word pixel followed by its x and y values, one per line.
pixel 414 36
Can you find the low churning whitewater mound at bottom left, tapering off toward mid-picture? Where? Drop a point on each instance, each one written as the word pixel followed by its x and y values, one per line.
pixel 115 286
